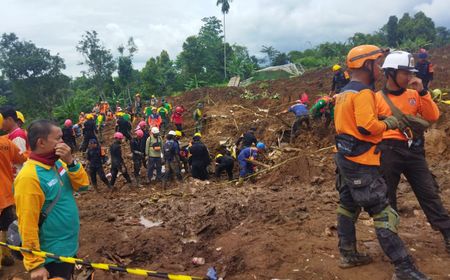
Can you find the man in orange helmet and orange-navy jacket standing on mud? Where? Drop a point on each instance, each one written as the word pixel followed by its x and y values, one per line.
pixel 359 183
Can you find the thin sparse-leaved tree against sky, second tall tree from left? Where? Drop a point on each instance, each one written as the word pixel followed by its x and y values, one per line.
pixel 99 60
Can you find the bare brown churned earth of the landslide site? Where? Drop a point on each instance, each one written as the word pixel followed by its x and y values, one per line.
pixel 281 227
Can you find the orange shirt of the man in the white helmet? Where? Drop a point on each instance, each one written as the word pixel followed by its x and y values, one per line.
pixel 410 103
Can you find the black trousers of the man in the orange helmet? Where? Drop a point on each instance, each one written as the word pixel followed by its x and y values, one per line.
pixel 362 186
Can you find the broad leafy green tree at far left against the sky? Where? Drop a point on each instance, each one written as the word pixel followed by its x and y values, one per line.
pixel 37 83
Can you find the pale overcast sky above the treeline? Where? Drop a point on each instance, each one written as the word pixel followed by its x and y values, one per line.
pixel 156 24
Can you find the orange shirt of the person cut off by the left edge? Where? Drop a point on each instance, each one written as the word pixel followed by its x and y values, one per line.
pixel 9 154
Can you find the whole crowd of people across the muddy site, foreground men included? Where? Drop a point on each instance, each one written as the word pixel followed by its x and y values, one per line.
pixel 379 137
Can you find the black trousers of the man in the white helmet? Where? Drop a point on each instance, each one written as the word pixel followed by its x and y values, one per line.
pixel 397 159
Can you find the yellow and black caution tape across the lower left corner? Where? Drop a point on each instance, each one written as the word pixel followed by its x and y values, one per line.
pixel 104 266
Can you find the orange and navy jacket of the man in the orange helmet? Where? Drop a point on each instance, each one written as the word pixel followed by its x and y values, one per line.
pixel 355 115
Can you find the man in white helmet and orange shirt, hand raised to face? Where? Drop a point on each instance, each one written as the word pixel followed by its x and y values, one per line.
pixel 403 149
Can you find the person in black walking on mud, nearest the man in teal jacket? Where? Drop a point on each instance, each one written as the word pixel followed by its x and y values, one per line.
pixel 96 159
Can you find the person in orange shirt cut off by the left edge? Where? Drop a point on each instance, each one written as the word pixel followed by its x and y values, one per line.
pixel 9 154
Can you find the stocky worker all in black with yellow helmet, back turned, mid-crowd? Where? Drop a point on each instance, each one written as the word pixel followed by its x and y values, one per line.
pixel 199 158
